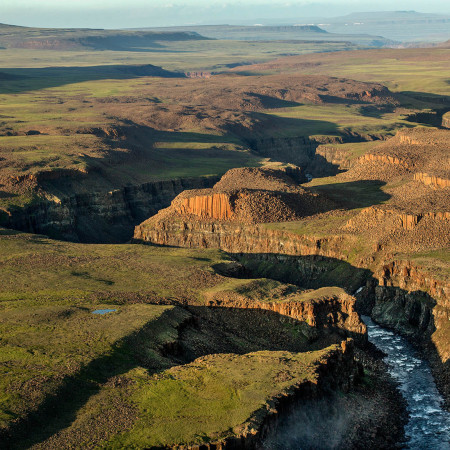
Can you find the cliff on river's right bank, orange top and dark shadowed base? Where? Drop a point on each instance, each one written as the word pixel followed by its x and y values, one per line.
pixel 417 305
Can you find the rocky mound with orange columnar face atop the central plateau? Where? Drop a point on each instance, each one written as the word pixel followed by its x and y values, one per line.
pixel 247 196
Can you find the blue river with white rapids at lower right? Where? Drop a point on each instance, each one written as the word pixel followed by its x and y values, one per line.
pixel 429 423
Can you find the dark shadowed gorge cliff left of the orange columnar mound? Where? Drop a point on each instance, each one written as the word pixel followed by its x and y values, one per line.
pixel 101 216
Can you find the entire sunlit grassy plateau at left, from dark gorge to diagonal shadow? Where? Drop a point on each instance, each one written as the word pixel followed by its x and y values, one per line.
pixel 48 291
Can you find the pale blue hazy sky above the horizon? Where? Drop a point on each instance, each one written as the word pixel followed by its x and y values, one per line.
pixel 148 13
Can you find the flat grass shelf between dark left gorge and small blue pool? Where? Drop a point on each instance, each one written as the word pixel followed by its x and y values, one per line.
pixel 34 267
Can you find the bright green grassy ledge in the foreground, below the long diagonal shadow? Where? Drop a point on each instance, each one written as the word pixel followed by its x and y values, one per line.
pixel 212 398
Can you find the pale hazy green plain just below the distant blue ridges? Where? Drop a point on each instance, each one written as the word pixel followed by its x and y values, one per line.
pixel 179 55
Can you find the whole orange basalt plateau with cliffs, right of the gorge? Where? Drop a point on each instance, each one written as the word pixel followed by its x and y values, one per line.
pixel 390 253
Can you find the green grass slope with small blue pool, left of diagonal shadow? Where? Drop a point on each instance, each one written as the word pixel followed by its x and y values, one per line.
pixel 41 345
